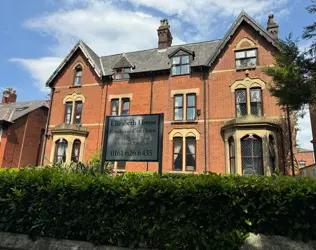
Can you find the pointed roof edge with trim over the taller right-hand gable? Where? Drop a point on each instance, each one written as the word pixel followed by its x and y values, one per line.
pixel 243 17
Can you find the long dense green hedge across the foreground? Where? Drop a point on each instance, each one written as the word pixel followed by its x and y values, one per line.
pixel 175 212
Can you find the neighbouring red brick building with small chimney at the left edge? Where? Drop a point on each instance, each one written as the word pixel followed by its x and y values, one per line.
pixel 22 129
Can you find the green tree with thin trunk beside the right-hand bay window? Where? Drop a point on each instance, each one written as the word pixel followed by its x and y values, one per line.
pixel 291 85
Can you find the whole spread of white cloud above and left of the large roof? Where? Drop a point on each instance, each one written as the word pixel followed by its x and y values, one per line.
pixel 109 27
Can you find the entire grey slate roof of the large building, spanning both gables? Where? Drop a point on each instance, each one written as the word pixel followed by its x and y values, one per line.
pixel 205 53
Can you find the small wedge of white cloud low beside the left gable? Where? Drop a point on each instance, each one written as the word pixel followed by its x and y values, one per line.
pixel 40 69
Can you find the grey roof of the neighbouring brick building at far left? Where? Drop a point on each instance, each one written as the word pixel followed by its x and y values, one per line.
pixel 13 111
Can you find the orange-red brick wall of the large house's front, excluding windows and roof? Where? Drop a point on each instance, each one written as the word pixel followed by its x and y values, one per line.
pixel 220 103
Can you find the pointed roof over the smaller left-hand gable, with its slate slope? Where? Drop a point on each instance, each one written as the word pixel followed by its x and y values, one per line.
pixel 91 56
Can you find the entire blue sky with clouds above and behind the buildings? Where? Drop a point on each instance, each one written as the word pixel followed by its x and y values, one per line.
pixel 37 34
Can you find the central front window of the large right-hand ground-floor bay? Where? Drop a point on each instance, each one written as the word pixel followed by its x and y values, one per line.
pixel 251 152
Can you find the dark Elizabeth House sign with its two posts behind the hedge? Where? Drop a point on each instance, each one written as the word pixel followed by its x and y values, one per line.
pixel 134 138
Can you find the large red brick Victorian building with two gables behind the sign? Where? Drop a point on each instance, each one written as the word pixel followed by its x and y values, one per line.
pixel 219 115
